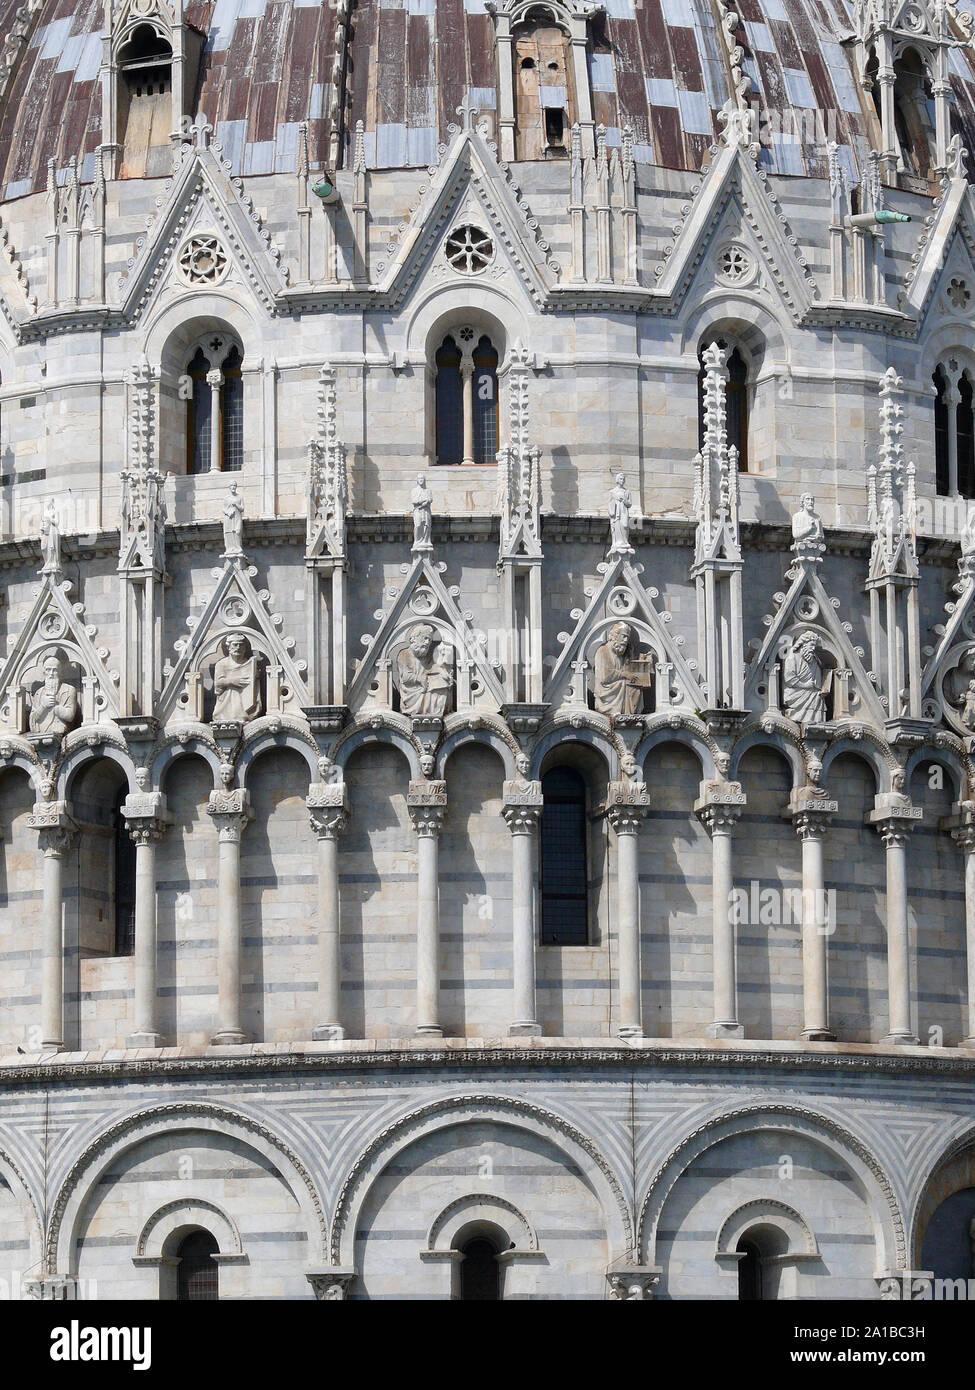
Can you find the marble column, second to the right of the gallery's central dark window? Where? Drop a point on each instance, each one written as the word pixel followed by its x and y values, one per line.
pixel 718 810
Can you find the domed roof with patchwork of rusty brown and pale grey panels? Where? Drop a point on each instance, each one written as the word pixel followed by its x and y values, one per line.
pixel 659 66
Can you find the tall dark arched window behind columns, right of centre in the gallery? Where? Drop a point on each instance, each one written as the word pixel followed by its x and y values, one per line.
pixel 564 860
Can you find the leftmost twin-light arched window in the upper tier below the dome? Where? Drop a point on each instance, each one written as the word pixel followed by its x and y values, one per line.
pixel 215 407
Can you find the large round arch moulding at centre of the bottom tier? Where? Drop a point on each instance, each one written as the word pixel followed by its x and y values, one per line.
pixel 472 1109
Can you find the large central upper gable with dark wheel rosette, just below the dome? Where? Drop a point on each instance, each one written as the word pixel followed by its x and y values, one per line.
pixel 469 187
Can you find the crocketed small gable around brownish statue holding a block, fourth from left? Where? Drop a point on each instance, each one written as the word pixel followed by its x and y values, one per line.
pixel 621 597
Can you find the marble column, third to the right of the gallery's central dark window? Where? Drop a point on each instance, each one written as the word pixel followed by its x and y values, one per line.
pixel 810 812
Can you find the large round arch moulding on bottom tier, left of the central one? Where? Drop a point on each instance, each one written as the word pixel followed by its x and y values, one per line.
pixel 168 1120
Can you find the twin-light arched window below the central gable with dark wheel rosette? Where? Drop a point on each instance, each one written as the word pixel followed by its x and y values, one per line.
pixel 467 405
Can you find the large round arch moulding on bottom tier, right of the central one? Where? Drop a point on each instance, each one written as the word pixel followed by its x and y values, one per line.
pixel 791 1120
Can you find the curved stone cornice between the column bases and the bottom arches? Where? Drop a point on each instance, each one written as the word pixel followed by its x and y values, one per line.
pixel 646 1056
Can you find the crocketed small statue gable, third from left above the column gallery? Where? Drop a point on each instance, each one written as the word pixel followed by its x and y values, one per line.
pixel 467 678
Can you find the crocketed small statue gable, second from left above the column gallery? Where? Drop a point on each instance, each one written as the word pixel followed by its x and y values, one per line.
pixel 236 608
